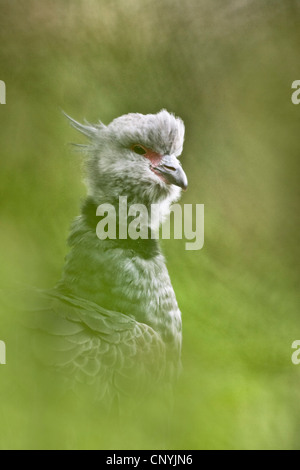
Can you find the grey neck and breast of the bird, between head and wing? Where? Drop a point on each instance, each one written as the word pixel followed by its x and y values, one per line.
pixel 123 275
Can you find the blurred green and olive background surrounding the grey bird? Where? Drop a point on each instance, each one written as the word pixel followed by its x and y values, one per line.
pixel 226 68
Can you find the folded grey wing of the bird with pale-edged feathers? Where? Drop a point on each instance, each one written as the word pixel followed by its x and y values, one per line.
pixel 88 344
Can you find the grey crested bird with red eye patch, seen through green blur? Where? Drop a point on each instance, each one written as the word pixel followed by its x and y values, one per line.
pixel 112 321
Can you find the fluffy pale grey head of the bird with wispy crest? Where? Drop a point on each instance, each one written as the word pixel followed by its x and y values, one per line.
pixel 135 156
